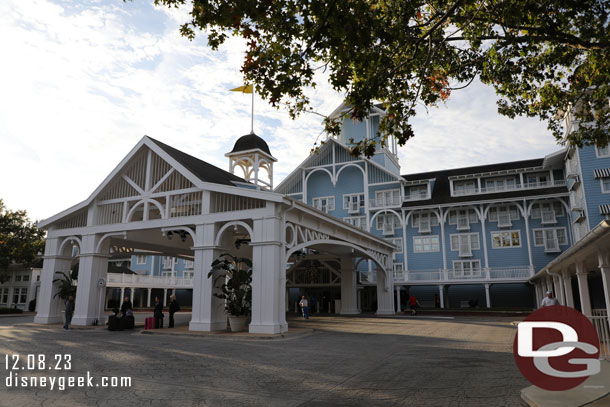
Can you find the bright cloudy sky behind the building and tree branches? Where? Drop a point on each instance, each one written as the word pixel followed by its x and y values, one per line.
pixel 81 82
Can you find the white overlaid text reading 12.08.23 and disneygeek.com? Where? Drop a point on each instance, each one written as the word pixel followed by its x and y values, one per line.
pixel 18 365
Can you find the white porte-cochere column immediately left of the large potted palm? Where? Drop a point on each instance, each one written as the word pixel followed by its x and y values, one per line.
pixel 208 311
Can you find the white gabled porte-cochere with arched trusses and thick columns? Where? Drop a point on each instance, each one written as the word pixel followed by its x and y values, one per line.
pixel 162 201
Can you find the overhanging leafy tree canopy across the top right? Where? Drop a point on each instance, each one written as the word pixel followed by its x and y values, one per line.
pixel 541 57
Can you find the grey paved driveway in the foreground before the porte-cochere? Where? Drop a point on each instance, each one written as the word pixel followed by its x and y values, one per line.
pixel 326 361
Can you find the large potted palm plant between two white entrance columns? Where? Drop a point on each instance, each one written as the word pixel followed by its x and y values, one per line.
pixel 236 289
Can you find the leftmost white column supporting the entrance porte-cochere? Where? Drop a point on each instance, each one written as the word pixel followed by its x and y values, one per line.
pixel 49 307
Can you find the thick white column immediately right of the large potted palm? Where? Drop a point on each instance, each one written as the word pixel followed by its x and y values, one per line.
pixel 266 268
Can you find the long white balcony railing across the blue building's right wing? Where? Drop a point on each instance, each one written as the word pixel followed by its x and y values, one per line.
pixel 440 276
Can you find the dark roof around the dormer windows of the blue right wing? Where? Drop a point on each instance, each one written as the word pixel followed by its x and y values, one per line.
pixel 441 192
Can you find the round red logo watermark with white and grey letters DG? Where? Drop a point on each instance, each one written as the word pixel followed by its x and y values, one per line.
pixel 556 348
